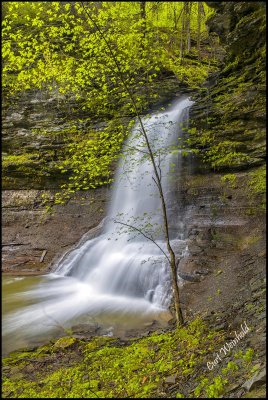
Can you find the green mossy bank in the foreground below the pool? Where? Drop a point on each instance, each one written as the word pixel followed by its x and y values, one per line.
pixel 108 368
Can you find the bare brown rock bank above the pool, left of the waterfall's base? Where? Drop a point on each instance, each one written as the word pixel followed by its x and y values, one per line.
pixel 33 239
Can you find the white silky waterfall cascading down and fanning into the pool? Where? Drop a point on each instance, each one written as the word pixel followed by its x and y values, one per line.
pixel 119 278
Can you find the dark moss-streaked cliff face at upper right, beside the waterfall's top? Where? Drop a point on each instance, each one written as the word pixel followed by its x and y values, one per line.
pixel 230 113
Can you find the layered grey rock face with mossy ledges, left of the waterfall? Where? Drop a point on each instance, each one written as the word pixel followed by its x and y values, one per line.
pixel 34 128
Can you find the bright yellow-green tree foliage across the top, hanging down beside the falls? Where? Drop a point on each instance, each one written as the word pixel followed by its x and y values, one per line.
pixel 54 46
